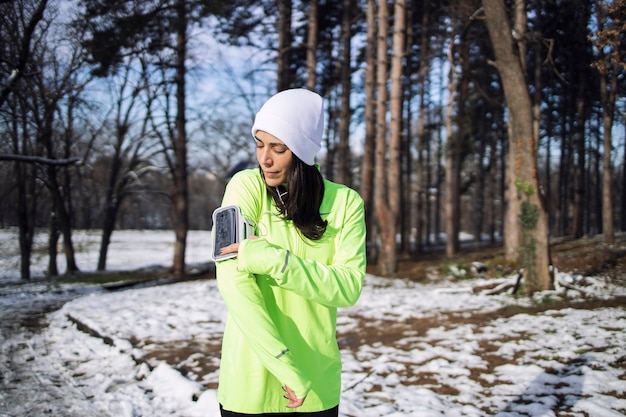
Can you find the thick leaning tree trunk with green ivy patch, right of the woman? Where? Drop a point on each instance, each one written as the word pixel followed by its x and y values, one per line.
pixel 534 250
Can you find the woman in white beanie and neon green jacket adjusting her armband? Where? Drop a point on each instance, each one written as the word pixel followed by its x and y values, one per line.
pixel 279 353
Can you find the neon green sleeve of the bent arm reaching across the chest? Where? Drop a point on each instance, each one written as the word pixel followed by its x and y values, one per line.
pixel 338 284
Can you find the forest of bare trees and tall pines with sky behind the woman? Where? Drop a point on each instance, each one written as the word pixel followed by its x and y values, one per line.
pixel 504 120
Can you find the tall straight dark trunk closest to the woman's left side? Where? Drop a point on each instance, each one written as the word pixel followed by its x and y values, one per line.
pixel 180 195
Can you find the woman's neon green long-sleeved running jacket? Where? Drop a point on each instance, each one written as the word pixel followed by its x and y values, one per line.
pixel 282 293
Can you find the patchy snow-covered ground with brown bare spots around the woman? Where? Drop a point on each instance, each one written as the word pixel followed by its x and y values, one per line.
pixel 409 349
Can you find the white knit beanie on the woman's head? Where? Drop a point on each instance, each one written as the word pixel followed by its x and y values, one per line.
pixel 296 117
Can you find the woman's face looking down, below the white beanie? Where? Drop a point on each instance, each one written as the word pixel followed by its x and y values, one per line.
pixel 274 157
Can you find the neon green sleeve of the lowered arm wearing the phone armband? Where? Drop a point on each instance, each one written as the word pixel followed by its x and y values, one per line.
pixel 246 306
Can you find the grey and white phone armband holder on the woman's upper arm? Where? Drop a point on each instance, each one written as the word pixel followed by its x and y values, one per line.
pixel 229 227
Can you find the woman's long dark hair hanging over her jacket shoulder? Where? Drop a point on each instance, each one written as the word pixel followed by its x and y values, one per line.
pixel 302 198
